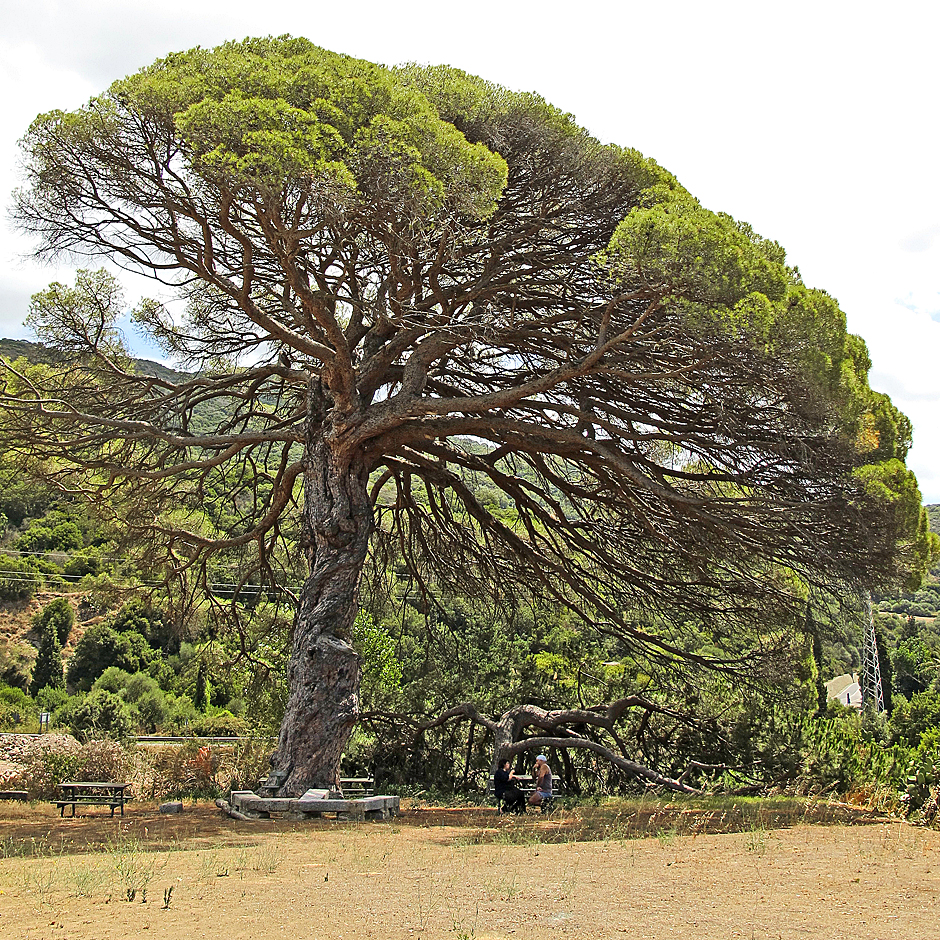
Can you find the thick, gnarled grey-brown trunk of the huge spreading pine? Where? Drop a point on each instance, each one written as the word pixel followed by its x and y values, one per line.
pixel 323 674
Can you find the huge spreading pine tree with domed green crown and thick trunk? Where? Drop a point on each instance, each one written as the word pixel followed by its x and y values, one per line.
pixel 401 280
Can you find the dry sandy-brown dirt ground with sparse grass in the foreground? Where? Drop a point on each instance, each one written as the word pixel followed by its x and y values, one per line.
pixel 461 874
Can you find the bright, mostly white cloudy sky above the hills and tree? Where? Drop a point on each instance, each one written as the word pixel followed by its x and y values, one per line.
pixel 813 121
